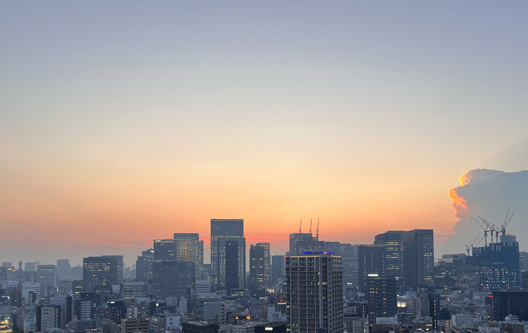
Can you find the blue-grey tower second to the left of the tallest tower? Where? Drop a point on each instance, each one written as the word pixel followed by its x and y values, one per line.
pixel 164 269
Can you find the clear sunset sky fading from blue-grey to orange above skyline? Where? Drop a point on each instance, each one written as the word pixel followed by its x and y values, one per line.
pixel 125 121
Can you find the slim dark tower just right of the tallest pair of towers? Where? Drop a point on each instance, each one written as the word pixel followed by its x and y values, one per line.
pixel 259 268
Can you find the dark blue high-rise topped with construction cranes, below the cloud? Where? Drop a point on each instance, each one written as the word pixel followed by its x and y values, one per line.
pixel 499 265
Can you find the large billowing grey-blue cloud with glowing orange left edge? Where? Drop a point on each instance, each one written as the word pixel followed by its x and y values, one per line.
pixel 489 193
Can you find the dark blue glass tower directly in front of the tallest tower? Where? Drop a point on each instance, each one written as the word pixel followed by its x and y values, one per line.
pixel 232 264
